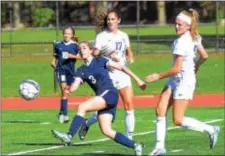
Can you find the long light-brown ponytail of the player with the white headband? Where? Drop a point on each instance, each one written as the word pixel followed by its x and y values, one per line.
pixel 193 14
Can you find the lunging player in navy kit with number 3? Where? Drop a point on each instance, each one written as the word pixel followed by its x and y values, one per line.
pixel 95 73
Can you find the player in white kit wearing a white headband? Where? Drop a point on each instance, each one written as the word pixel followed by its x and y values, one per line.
pixel 182 79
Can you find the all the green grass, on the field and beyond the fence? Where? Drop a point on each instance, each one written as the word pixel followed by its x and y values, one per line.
pixel 26 130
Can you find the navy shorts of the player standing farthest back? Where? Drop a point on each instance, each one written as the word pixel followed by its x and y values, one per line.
pixel 64 77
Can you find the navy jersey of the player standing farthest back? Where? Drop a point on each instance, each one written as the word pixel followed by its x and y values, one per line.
pixel 67 65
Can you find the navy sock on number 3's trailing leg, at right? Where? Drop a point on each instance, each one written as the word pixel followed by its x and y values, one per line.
pixel 123 140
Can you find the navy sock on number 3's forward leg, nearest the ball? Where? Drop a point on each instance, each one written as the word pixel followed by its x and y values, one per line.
pixel 75 125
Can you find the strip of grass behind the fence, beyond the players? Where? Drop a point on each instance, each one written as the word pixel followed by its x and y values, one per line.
pixel 29 35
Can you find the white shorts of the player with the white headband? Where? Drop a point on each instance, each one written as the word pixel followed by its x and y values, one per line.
pixel 182 90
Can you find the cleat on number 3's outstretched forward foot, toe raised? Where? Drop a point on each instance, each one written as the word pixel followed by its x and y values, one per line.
pixel 63 137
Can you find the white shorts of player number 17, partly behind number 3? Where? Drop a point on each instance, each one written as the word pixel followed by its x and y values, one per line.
pixel 120 79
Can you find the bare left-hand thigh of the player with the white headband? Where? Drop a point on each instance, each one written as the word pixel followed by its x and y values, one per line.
pixel 164 101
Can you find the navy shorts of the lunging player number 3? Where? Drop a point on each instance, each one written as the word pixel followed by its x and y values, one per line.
pixel 111 97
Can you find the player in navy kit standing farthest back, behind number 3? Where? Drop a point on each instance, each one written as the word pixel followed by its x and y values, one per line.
pixel 65 68
